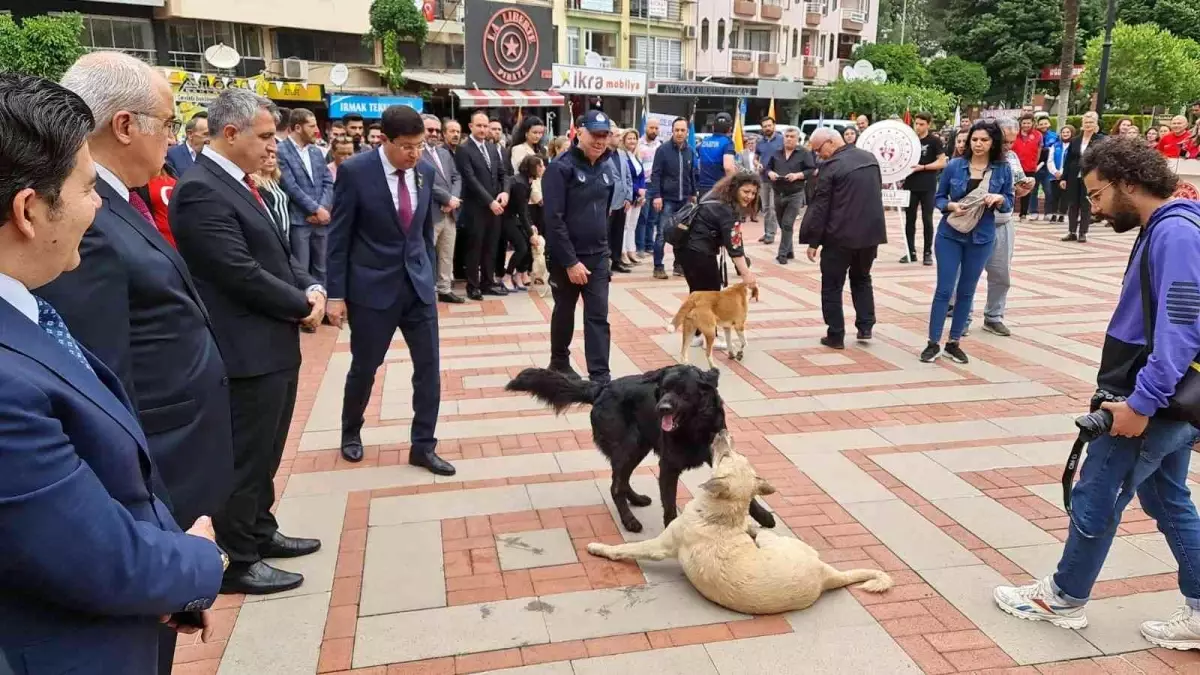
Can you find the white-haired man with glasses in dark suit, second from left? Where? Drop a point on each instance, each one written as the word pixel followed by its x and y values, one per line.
pixel 133 304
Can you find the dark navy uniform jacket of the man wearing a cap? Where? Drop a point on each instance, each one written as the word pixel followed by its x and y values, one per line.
pixel 577 196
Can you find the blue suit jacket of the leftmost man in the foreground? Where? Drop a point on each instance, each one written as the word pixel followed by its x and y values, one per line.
pixel 89 559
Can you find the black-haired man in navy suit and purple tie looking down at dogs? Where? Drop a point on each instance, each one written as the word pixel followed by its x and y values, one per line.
pixel 381 271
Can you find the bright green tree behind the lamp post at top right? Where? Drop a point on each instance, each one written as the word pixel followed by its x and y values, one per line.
pixel 1149 67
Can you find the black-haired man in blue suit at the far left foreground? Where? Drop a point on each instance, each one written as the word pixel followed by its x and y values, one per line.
pixel 93 561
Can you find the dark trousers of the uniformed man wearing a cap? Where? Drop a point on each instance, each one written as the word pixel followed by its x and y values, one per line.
pixel 597 337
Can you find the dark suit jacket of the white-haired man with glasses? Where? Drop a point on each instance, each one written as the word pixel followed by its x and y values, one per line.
pixel 133 303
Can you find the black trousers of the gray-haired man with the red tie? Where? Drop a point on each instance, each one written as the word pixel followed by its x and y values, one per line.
pixel 262 414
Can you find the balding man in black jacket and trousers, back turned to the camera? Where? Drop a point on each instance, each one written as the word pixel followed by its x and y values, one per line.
pixel 847 218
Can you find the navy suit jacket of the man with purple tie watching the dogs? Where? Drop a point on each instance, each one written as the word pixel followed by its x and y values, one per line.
pixel 369 253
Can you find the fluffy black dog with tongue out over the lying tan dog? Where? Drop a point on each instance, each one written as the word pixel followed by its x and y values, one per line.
pixel 674 411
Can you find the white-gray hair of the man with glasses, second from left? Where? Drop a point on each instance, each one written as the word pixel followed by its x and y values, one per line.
pixel 111 82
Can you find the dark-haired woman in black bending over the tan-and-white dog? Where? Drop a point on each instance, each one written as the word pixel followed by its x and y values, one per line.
pixel 719 224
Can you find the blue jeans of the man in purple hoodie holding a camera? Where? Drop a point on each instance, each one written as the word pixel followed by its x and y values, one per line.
pixel 1156 467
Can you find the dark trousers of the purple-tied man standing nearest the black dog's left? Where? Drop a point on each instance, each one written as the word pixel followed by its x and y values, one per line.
pixel 371 333
